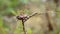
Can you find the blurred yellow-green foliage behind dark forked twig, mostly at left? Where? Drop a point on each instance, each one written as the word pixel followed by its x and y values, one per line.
pixel 12 8
